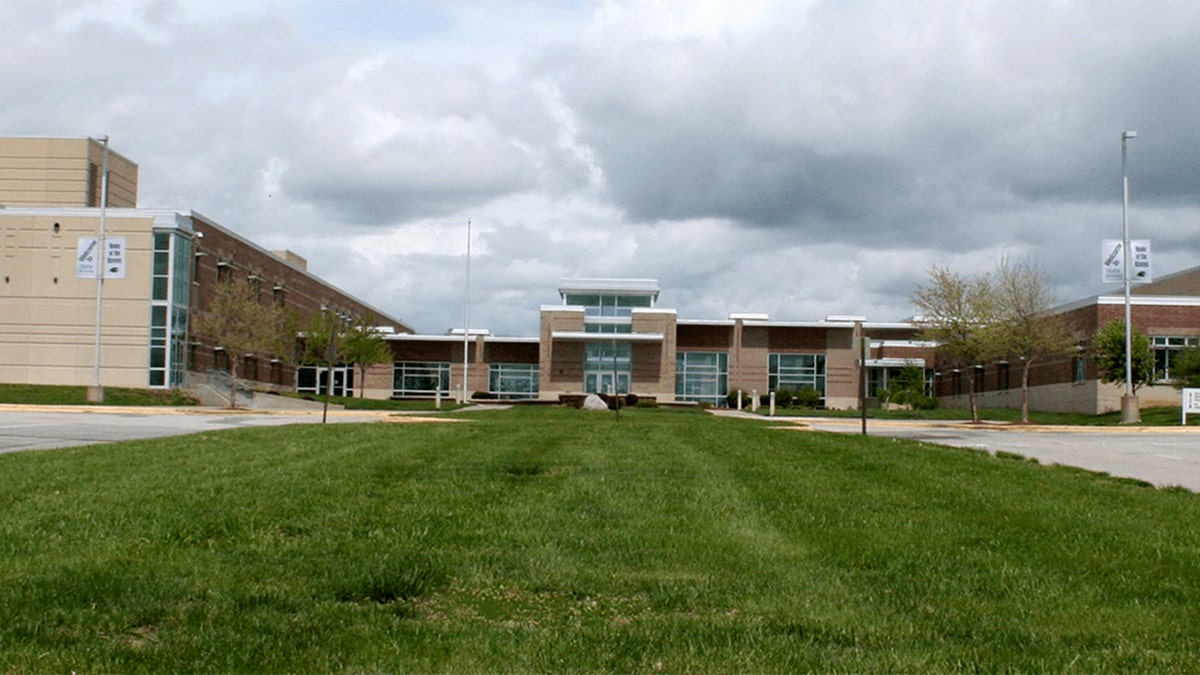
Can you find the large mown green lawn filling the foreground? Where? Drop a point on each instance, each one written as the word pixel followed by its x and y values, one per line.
pixel 551 540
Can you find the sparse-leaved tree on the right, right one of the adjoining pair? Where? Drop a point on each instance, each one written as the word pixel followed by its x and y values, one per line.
pixel 1028 330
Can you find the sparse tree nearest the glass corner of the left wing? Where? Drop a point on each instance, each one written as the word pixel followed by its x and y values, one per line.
pixel 242 326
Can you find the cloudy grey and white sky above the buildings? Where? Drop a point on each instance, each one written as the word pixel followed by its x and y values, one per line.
pixel 794 158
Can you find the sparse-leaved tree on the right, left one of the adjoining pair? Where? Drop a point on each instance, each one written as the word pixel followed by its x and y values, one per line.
pixel 959 314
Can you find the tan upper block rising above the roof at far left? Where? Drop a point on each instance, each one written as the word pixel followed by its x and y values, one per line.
pixel 55 172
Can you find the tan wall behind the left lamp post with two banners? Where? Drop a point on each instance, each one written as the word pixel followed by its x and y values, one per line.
pixel 49 315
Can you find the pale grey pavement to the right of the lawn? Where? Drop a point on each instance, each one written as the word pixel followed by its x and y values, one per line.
pixel 1163 456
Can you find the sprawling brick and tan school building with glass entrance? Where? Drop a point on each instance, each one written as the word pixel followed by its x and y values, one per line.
pixel 160 268
